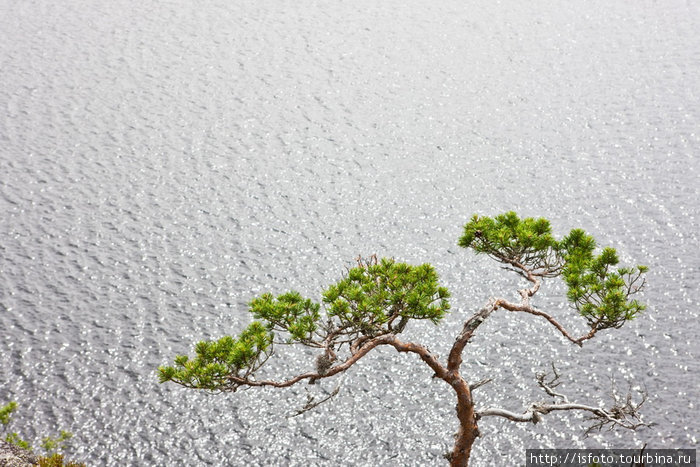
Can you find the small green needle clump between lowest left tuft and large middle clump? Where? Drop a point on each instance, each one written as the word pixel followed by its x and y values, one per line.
pixel 289 312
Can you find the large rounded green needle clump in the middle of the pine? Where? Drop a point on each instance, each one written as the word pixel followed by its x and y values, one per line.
pixel 375 294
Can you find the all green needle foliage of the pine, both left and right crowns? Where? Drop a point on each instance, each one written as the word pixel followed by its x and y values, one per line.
pixel 380 297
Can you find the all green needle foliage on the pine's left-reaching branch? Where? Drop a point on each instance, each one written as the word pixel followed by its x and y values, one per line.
pixel 374 298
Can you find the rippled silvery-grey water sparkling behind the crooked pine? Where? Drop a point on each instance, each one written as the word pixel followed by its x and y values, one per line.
pixel 161 163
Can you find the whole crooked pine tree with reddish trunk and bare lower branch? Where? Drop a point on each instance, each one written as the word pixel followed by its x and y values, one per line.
pixel 374 302
